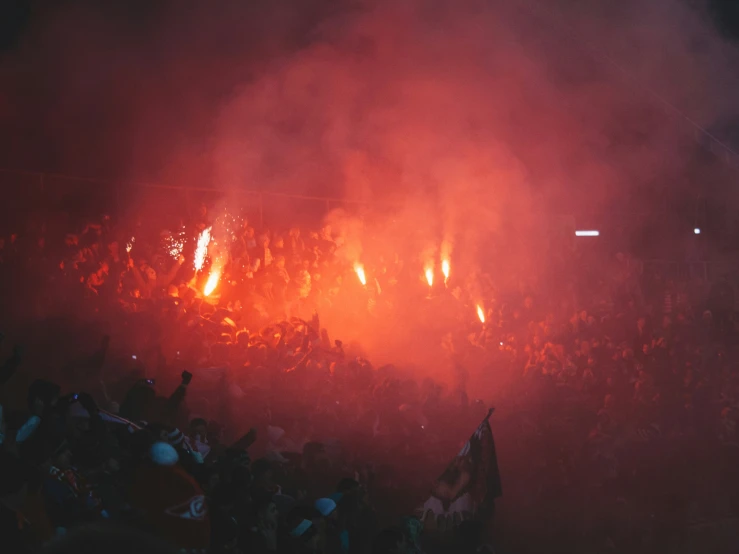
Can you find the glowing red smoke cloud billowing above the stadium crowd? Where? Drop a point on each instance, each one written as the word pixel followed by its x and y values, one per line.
pixel 463 115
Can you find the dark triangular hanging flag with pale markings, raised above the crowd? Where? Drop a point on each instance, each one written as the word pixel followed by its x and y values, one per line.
pixel 470 483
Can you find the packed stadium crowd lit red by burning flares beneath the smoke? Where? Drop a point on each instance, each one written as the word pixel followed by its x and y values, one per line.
pixel 232 422
